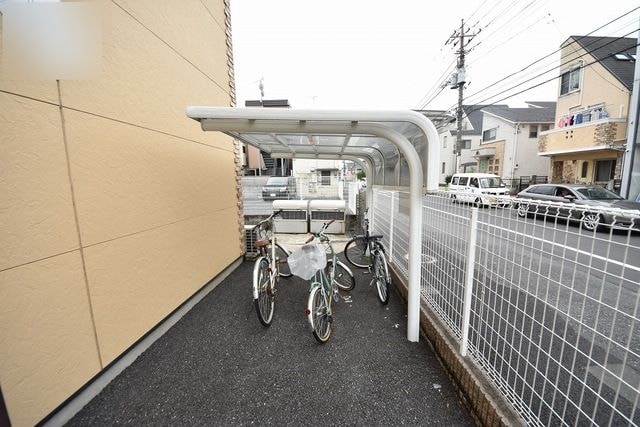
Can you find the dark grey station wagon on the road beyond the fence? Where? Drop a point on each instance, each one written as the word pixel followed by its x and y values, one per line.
pixel 578 199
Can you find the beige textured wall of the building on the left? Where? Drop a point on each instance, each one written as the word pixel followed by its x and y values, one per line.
pixel 114 209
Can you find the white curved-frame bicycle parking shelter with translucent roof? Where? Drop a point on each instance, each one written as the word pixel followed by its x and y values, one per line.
pixel 395 148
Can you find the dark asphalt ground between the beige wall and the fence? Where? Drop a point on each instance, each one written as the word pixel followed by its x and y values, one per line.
pixel 219 366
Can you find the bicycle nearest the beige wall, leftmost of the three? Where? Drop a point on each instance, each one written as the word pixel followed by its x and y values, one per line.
pixel 268 268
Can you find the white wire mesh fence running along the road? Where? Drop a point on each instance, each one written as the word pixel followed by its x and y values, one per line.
pixel 554 313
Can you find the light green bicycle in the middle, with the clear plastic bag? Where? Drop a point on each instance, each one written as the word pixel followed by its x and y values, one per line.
pixel 324 289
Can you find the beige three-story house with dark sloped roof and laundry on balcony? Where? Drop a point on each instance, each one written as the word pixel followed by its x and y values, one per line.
pixel 596 77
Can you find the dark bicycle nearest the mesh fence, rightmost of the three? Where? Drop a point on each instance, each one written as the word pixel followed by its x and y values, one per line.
pixel 366 251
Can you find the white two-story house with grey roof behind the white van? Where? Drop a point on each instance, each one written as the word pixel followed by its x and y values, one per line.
pixel 509 141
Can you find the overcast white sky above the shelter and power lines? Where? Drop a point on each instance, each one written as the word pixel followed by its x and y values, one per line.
pixel 391 54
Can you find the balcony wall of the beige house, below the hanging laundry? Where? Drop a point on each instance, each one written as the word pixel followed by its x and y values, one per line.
pixel 590 136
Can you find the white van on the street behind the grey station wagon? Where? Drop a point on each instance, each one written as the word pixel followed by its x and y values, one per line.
pixel 483 189
